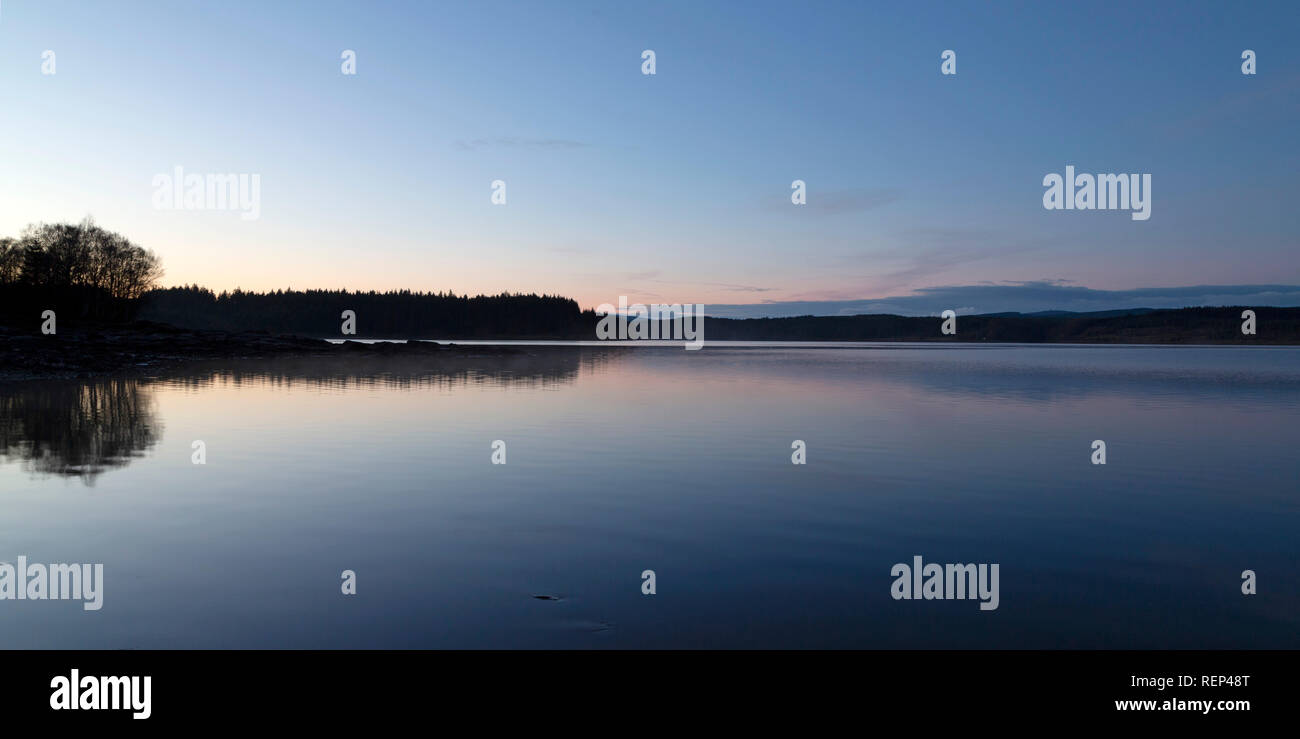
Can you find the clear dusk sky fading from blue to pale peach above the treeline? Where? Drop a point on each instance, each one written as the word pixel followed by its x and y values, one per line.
pixel 922 189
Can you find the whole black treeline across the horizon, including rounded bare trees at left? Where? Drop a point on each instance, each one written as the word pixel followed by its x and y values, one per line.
pixel 92 276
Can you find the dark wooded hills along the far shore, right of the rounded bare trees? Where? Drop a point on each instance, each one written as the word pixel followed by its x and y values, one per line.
pixel 445 317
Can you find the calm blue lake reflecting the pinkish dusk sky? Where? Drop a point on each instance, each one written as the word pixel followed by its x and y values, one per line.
pixel 622 460
